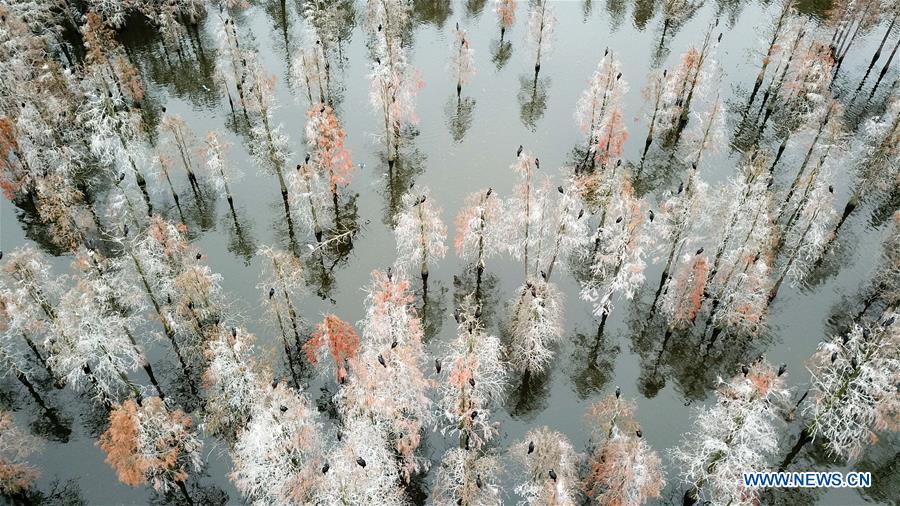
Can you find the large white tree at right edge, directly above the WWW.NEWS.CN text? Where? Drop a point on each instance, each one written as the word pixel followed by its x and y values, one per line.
pixel 854 390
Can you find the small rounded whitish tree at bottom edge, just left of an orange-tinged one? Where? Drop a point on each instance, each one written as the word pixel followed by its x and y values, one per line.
pixel 549 468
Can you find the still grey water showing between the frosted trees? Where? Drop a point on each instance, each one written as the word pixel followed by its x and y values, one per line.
pixel 461 147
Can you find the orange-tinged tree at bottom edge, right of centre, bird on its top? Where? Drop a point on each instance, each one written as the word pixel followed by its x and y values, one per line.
pixel 623 469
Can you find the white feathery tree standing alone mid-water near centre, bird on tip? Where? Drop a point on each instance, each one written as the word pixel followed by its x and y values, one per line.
pixel 420 233
